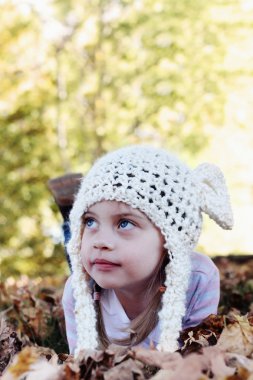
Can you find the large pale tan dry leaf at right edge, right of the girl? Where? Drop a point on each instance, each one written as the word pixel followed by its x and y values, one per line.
pixel 237 337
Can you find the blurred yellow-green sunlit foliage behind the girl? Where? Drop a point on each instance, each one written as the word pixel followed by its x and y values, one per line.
pixel 79 78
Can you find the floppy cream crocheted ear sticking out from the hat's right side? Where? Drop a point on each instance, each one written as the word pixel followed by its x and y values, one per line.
pixel 213 194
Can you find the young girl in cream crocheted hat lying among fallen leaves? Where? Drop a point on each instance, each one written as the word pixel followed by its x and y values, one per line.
pixel 134 224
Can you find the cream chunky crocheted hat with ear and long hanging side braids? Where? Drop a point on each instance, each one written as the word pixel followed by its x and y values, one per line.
pixel 172 196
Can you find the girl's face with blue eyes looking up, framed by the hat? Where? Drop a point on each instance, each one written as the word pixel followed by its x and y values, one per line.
pixel 120 247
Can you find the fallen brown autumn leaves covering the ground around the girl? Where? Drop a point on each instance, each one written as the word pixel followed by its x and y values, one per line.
pixel 33 341
